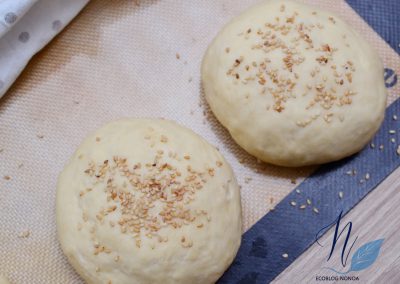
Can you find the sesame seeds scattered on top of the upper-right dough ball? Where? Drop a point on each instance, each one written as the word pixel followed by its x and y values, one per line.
pixel 286 40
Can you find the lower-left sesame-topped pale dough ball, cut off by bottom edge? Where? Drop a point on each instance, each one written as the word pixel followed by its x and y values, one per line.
pixel 148 201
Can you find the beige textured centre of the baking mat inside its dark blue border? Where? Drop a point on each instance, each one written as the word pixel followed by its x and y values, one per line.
pixel 118 59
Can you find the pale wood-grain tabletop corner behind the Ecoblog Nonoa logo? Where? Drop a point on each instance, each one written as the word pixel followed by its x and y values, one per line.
pixel 375 217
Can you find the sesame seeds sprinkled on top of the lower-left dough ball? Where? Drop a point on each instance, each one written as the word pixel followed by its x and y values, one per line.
pixel 143 198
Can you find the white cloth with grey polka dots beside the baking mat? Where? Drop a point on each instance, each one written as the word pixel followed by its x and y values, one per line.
pixel 26 26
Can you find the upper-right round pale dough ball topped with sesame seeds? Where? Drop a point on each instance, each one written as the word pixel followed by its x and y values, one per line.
pixel 294 85
